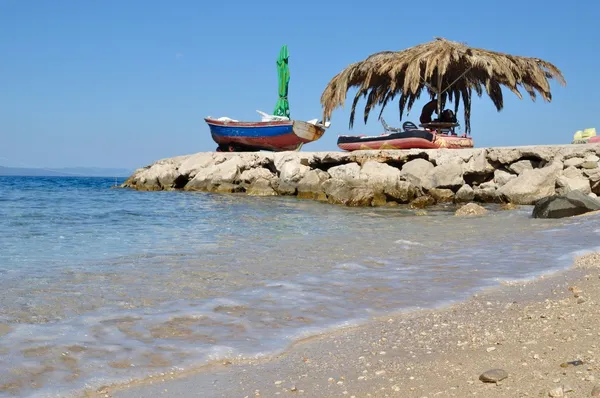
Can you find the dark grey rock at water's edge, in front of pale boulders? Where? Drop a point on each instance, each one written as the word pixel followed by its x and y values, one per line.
pixel 571 204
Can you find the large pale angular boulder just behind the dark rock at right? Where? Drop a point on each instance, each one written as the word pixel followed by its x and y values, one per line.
pixel 532 185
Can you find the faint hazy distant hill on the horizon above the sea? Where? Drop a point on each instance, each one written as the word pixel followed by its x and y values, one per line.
pixel 65 172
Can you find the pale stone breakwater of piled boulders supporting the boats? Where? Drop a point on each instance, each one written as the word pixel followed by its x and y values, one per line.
pixel 420 177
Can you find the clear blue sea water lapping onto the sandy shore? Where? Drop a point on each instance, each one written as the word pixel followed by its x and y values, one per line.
pixel 101 285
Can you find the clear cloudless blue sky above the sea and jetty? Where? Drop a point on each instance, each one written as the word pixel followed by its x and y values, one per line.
pixel 122 83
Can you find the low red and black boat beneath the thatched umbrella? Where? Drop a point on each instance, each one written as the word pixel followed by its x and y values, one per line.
pixel 418 139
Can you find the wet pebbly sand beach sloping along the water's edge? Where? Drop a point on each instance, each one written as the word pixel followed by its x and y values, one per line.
pixel 544 334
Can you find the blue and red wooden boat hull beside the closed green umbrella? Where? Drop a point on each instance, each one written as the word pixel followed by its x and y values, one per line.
pixel 281 135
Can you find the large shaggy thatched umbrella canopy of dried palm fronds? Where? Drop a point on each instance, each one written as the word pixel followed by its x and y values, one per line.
pixel 444 68
